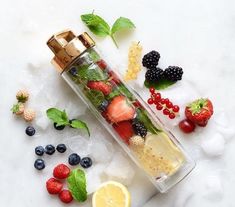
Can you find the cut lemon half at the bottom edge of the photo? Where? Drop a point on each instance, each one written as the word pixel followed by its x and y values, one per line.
pixel 111 194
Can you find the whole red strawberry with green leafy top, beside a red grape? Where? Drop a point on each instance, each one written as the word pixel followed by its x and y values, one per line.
pixel 199 111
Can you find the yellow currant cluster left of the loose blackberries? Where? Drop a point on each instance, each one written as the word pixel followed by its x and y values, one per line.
pixel 134 61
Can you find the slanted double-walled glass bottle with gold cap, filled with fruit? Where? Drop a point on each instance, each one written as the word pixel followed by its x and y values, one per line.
pixel 120 110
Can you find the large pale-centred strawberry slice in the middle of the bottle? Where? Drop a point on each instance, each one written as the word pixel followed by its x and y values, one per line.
pixel 120 110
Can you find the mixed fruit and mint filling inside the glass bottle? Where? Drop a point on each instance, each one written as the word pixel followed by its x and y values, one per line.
pixel 156 153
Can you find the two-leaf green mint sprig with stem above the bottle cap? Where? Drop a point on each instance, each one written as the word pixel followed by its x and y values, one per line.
pixel 101 28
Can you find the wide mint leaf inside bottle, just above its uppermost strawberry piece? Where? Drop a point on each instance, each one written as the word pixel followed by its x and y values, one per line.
pixel 95 74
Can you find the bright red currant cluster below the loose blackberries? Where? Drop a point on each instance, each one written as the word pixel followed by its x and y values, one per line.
pixel 164 104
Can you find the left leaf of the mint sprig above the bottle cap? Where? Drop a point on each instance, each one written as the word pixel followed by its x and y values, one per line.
pixel 96 24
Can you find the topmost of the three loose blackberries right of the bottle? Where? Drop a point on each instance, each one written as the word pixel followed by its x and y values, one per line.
pixel 150 60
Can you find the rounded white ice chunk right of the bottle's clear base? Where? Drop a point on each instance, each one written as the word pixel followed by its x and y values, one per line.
pixel 213 145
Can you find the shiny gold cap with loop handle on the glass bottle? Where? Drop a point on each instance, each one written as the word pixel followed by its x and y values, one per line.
pixel 67 46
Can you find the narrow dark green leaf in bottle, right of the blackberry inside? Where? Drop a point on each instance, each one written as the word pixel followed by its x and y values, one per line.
pixel 143 117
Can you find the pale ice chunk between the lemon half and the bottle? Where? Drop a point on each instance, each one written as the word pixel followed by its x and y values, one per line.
pixel 120 169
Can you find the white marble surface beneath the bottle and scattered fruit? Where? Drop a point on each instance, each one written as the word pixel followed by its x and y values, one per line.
pixel 197 35
